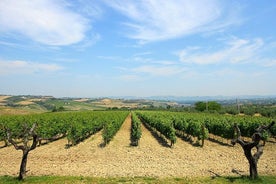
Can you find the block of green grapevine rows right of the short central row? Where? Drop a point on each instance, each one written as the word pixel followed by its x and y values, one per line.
pixel 200 124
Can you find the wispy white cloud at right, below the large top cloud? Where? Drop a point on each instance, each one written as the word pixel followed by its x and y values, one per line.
pixel 234 51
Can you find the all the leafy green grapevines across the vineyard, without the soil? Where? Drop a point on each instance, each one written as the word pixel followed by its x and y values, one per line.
pixel 77 126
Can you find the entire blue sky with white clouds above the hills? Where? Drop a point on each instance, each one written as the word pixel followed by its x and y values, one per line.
pixel 97 48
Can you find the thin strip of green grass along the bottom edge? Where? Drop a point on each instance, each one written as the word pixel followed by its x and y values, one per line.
pixel 152 180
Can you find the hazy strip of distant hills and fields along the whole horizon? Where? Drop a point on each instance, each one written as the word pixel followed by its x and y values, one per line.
pixel 23 104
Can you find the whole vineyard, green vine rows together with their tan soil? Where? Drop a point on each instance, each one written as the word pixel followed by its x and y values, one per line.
pixel 140 143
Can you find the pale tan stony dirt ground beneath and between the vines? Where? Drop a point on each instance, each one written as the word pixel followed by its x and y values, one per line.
pixel 150 158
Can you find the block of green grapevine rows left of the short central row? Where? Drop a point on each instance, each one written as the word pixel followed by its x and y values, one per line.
pixel 76 126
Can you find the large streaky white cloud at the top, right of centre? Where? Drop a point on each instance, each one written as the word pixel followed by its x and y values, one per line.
pixel 153 20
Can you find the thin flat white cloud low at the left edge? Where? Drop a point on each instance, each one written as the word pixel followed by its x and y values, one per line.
pixel 25 67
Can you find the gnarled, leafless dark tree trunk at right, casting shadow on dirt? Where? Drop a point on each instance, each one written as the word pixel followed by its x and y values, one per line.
pixel 248 145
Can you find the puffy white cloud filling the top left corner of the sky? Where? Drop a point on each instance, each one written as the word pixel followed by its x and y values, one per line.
pixel 45 21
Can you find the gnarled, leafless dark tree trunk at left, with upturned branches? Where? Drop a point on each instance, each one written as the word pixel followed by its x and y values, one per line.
pixel 25 136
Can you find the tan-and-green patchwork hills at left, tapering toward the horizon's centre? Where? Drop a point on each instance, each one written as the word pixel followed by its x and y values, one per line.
pixel 36 104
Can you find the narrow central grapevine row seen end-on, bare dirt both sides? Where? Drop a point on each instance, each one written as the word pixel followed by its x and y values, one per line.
pixel 136 131
